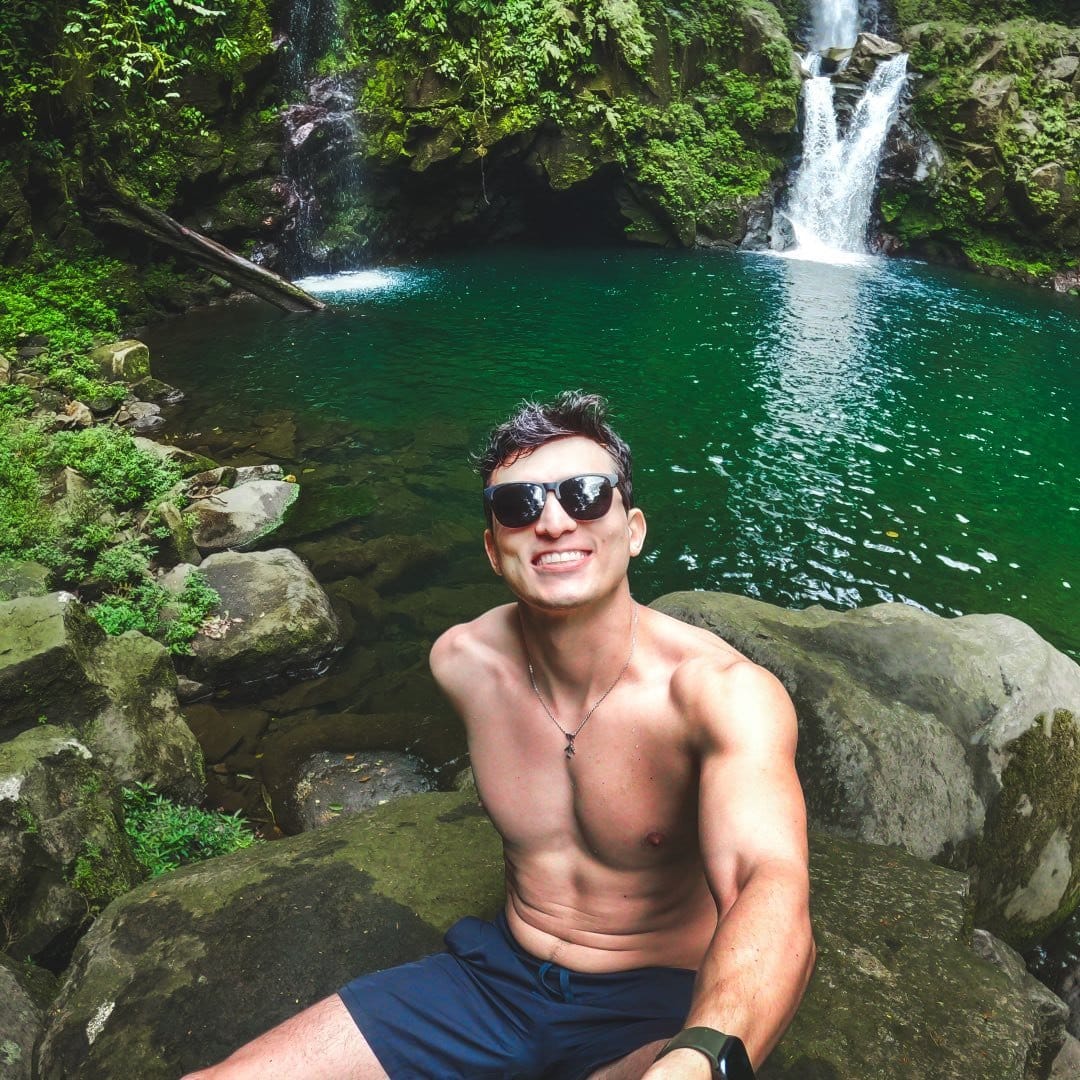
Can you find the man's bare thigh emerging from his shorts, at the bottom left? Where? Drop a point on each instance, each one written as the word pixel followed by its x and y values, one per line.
pixel 320 1044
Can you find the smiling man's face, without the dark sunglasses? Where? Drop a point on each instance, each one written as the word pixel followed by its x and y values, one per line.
pixel 559 563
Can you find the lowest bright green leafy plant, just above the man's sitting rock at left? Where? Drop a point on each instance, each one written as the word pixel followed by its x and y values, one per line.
pixel 167 835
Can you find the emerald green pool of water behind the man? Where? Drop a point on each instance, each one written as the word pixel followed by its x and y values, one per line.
pixel 804 434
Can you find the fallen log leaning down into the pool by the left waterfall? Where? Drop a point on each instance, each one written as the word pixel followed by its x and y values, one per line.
pixel 121 209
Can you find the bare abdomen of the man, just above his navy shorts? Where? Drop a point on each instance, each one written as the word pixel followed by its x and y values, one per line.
pixel 573 911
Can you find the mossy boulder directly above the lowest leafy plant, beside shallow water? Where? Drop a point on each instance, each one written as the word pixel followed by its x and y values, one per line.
pixel 141 731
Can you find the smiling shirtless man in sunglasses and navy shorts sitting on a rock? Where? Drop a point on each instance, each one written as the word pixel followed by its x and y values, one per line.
pixel 642 776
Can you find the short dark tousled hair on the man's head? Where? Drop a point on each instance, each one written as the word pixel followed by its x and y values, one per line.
pixel 535 424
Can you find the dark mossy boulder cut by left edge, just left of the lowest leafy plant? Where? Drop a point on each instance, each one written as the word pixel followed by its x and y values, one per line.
pixel 64 854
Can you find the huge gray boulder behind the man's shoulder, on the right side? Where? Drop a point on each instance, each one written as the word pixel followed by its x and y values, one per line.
pixel 955 738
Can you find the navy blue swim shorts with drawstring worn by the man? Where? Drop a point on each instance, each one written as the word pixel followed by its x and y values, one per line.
pixel 487 1009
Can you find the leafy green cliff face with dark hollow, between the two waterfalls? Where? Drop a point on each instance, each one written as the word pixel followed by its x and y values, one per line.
pixel 480 121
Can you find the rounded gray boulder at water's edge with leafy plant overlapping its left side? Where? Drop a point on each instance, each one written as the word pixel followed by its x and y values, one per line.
pixel 279 619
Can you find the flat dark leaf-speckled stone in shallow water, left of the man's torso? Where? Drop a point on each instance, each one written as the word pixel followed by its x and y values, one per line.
pixel 332 785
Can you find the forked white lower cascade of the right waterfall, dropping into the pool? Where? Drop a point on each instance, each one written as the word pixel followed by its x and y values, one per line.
pixel 833 195
